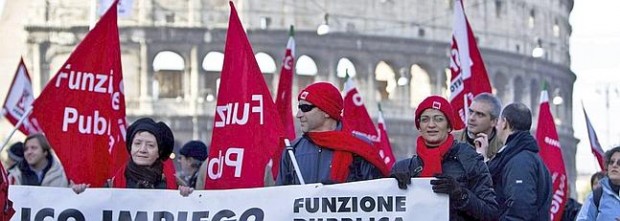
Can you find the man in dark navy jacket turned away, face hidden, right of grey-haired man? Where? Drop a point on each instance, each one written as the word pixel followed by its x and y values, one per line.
pixel 522 181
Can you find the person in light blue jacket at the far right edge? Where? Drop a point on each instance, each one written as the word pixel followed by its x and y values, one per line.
pixel 604 201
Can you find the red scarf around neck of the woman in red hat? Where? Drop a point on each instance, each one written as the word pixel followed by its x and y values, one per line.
pixel 432 157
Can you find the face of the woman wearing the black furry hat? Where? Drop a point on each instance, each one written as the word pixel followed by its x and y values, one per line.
pixel 144 149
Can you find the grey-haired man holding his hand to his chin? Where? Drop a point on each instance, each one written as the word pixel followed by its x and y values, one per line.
pixel 480 131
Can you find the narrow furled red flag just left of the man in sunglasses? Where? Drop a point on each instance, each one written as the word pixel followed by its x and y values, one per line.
pixel 284 99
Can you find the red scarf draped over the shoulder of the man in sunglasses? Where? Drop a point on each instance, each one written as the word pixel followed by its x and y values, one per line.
pixel 344 145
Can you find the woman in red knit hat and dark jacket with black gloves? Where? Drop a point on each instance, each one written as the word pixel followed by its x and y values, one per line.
pixel 460 171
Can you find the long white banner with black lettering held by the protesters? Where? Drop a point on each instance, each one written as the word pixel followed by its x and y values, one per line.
pixel 376 200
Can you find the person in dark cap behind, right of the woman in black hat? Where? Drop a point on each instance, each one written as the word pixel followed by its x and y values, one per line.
pixel 192 155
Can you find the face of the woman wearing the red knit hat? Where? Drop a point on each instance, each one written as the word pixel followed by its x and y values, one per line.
pixel 433 127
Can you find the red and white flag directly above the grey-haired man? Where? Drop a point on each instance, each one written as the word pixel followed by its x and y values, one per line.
pixel 469 76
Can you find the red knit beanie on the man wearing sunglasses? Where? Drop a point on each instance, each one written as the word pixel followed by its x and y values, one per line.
pixel 325 96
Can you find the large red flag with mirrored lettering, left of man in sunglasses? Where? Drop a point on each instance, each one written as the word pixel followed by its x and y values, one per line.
pixel 246 128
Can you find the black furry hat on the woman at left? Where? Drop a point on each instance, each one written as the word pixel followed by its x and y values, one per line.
pixel 161 131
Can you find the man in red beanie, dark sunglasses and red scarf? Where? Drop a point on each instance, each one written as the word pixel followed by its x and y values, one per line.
pixel 325 153
